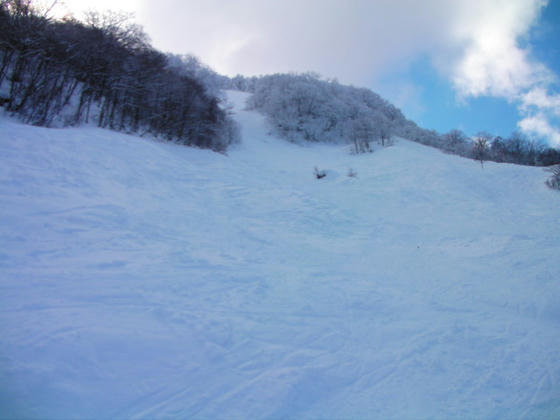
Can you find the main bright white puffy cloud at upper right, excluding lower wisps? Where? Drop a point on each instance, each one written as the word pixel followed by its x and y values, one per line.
pixel 492 62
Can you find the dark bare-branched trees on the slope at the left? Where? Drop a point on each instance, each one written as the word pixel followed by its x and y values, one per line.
pixel 102 69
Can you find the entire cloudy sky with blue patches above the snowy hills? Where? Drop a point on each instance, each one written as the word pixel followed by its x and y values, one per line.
pixel 469 64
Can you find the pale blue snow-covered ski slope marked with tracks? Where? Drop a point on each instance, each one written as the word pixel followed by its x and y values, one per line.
pixel 141 279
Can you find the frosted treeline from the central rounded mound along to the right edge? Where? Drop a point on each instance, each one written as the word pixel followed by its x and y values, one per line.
pixel 303 107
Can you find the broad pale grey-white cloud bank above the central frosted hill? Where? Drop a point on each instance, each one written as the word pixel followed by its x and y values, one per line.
pixel 357 42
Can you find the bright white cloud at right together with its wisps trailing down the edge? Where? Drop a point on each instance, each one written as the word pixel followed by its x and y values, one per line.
pixel 494 64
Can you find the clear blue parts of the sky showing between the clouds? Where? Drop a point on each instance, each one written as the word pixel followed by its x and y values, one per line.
pixel 434 103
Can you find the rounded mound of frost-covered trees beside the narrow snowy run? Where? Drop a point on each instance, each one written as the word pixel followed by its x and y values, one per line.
pixel 303 107
